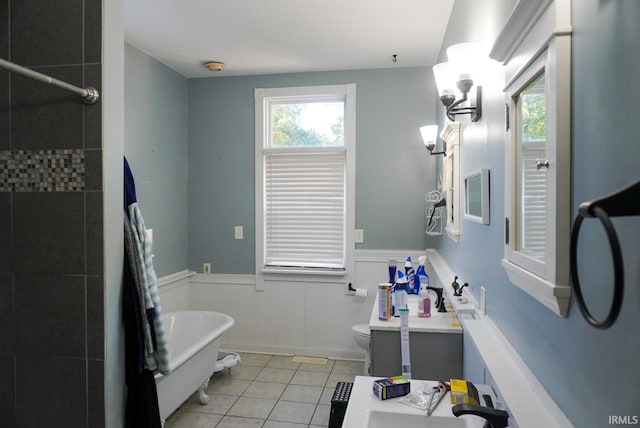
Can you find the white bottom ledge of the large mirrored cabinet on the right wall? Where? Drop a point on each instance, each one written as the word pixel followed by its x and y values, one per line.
pixel 553 296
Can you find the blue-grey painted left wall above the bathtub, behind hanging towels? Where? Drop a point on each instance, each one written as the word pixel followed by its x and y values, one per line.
pixel 156 100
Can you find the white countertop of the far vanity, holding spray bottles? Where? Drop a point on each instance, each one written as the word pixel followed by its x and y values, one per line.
pixel 438 322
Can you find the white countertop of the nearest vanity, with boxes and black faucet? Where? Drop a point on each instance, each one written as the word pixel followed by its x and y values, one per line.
pixel 362 401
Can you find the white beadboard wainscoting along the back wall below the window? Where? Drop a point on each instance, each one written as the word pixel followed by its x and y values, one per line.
pixel 293 318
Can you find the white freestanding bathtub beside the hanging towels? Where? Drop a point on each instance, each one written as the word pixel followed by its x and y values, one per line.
pixel 194 340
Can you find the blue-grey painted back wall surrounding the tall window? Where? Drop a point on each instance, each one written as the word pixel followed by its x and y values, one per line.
pixel 393 170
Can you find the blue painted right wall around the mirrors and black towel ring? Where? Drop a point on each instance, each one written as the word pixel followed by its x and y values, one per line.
pixel 590 373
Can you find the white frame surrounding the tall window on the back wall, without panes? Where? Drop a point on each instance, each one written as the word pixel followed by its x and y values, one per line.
pixel 264 97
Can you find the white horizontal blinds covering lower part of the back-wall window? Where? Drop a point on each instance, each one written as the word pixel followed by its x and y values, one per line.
pixel 304 208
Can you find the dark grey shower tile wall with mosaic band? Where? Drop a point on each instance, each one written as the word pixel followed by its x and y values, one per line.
pixel 51 245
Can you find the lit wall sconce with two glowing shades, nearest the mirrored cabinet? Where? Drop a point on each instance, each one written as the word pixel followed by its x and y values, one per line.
pixel 463 71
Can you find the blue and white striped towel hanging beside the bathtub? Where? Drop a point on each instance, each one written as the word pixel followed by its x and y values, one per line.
pixel 159 359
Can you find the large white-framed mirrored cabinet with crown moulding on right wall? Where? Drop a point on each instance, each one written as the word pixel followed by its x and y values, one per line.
pixel 538 163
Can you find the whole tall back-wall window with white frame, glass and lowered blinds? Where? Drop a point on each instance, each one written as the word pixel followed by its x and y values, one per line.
pixel 304 179
